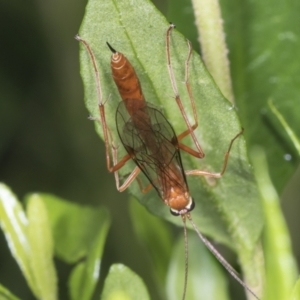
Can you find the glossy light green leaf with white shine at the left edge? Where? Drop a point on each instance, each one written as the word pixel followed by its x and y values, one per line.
pixel 14 224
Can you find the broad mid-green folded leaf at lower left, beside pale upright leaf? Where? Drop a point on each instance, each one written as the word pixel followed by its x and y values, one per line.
pixel 79 232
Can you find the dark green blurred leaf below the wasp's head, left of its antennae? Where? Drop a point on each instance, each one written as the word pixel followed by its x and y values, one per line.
pixel 156 237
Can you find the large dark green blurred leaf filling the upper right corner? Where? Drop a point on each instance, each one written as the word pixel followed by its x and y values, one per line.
pixel 263 40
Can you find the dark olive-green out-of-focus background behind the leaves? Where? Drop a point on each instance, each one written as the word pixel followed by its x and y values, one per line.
pixel 47 144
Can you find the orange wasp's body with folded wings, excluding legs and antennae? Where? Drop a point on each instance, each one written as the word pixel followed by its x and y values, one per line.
pixel 149 138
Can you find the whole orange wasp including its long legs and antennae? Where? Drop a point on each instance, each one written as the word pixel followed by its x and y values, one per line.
pixel 151 142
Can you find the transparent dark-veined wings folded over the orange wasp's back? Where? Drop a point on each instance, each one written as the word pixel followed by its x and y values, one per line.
pixel 152 143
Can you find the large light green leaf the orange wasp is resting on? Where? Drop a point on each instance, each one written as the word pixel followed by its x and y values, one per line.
pixel 227 209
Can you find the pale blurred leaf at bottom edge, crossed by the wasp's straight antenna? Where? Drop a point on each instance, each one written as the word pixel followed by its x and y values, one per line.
pixel 202 268
